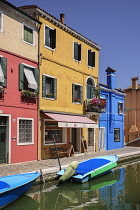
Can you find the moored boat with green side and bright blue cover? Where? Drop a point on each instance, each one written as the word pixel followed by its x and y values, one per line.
pixel 92 168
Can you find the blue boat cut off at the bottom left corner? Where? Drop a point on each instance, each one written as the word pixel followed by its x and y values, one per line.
pixel 12 187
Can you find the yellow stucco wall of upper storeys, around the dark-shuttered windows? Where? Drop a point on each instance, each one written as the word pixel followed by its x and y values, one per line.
pixel 65 69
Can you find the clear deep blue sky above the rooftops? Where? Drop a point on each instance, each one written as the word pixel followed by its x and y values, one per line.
pixel 112 24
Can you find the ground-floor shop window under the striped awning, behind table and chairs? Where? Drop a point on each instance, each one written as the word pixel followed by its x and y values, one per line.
pixel 53 131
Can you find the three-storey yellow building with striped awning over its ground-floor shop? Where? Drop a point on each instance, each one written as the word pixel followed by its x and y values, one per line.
pixel 69 72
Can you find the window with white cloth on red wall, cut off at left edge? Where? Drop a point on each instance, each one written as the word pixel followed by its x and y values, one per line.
pixel 3 71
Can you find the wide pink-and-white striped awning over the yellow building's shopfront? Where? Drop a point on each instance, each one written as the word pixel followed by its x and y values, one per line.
pixel 72 121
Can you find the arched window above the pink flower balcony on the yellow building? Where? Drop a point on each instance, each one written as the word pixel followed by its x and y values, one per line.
pixel 90 88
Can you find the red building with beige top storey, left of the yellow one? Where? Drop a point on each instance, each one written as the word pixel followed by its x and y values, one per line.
pixel 19 85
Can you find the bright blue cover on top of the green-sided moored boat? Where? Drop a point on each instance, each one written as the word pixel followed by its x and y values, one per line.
pixel 90 165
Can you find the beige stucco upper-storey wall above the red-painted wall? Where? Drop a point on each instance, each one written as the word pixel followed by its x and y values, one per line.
pixel 12 34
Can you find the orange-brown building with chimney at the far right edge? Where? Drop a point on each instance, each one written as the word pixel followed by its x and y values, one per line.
pixel 132 111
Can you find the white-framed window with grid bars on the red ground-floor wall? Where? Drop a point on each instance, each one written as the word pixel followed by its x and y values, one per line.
pixel 25 129
